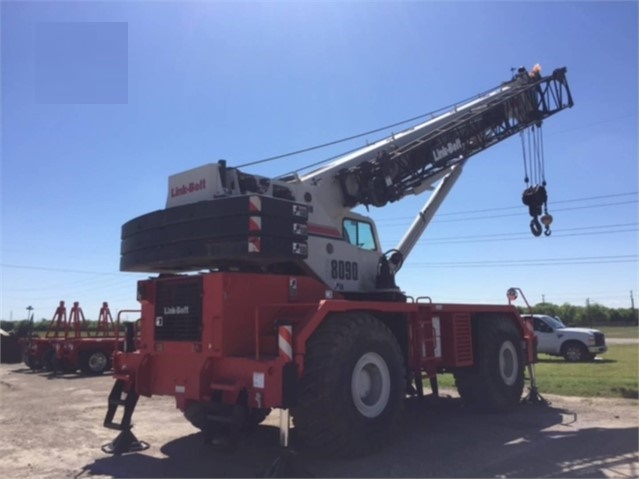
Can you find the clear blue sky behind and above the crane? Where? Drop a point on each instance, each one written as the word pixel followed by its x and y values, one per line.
pixel 102 101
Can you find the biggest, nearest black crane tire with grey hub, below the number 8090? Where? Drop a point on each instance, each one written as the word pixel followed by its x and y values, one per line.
pixel 352 389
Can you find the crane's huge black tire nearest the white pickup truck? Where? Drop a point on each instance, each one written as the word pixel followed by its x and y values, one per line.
pixel 496 381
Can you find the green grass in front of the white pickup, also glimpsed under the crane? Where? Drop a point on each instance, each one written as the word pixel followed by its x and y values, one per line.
pixel 613 374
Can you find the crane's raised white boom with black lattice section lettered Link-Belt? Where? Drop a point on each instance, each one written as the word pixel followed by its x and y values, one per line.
pixel 411 161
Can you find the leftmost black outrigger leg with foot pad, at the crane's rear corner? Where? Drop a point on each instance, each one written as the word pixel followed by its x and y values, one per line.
pixel 125 441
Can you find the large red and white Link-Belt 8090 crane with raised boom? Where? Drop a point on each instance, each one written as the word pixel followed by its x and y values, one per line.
pixel 273 293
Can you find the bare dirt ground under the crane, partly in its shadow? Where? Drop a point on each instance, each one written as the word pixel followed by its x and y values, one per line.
pixel 52 428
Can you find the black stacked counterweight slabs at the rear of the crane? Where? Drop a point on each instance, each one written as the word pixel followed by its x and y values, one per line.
pixel 250 231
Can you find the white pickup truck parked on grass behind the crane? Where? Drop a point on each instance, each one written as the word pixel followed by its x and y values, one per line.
pixel 574 344
